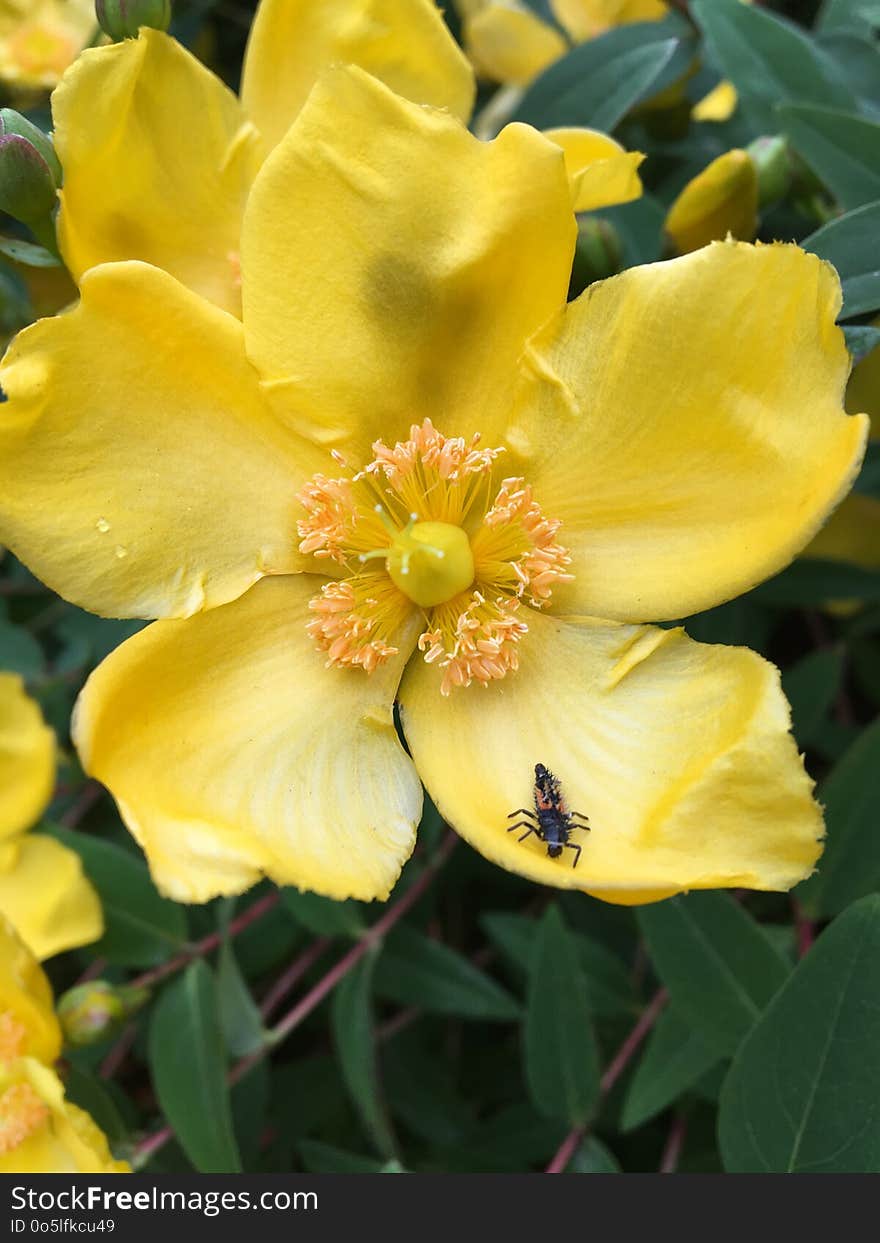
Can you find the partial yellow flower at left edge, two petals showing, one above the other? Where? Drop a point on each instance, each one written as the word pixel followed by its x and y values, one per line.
pixel 43 888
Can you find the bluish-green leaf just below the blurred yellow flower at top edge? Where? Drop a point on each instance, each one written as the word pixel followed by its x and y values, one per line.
pixel 600 81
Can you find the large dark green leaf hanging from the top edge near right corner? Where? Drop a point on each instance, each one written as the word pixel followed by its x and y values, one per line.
pixel 768 60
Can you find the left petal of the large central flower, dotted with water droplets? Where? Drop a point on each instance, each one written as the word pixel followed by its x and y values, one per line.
pixel 141 470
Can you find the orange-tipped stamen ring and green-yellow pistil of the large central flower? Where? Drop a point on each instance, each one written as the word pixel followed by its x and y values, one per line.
pixel 427 524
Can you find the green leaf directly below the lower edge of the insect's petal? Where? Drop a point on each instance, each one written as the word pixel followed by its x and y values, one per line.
pixel 719 966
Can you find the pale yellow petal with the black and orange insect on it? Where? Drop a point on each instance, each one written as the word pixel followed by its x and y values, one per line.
pixel 678 753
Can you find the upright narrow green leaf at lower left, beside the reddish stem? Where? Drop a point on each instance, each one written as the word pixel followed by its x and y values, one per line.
pixel 190 1071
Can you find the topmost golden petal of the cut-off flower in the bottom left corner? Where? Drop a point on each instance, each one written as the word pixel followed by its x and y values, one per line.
pixel 28 1022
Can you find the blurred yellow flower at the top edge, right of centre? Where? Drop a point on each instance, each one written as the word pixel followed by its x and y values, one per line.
pixel 509 43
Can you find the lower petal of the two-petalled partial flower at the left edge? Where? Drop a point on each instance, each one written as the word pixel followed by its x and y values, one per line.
pixel 47 897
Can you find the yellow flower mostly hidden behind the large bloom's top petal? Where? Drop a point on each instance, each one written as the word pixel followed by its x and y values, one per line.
pixel 160 156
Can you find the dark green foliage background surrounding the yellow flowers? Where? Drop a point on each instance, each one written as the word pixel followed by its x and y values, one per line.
pixel 497 1026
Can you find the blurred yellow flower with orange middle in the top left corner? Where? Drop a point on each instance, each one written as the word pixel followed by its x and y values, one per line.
pixel 39 39
